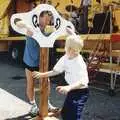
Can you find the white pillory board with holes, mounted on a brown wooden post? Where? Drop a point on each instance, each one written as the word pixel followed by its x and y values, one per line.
pixel 44 50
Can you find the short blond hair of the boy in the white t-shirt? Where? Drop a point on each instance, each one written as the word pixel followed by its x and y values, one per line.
pixel 74 42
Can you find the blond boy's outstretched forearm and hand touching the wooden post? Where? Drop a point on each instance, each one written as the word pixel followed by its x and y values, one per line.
pixel 38 75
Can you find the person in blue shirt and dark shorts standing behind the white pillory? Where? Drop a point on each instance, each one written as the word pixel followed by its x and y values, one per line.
pixel 31 60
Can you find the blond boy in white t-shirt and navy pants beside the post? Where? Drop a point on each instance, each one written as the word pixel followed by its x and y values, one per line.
pixel 76 76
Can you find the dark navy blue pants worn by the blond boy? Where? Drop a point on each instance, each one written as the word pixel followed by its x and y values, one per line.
pixel 74 104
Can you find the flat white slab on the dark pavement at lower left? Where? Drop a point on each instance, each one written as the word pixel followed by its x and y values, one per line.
pixel 12 107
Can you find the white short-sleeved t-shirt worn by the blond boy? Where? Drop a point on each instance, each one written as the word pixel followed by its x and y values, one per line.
pixel 75 70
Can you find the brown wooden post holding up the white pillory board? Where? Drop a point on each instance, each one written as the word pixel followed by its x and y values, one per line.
pixel 43 105
